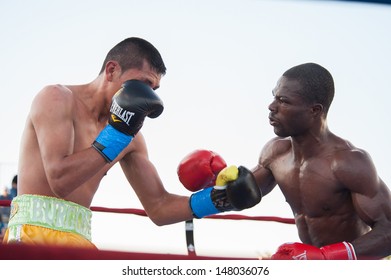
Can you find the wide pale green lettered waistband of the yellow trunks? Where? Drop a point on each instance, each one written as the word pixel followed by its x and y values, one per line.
pixel 51 212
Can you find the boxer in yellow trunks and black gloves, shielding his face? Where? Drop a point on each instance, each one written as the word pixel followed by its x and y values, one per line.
pixel 74 134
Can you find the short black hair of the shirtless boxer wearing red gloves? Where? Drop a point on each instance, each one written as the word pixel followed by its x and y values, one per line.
pixel 317 83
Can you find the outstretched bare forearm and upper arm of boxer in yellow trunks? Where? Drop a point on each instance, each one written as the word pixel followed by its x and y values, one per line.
pixel 161 206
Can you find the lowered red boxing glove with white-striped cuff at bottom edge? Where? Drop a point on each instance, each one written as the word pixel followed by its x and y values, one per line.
pixel 300 251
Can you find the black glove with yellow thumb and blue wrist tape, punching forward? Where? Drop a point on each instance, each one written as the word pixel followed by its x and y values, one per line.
pixel 240 192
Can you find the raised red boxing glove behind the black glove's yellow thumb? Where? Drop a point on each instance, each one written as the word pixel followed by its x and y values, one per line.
pixel 199 169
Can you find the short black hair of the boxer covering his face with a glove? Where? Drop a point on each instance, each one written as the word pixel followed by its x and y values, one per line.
pixel 132 52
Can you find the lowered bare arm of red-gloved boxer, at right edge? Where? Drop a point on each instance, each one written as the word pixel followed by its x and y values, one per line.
pixel 371 199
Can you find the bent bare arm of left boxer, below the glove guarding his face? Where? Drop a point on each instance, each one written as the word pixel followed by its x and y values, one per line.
pixel 66 167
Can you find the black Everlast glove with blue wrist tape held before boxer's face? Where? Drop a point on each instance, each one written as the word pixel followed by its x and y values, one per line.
pixel 130 105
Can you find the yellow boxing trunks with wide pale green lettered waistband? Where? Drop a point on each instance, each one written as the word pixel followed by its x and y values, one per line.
pixel 44 220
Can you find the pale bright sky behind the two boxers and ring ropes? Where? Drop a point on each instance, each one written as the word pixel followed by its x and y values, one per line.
pixel 223 59
